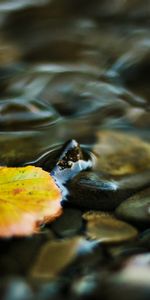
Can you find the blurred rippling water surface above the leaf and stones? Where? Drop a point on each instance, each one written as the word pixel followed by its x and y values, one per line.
pixel 69 69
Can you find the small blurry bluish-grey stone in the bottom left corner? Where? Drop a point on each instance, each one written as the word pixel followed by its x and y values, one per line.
pixel 15 289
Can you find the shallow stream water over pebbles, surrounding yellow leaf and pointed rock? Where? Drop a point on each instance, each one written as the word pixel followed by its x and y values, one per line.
pixel 79 70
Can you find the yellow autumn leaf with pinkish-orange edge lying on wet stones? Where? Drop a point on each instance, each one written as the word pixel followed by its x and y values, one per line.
pixel 29 196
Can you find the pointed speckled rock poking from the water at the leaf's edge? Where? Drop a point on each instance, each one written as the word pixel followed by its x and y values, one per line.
pixel 64 161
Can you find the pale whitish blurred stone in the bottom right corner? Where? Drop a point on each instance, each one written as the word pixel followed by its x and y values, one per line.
pixel 132 281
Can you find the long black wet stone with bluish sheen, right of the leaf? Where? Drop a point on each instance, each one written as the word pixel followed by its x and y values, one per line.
pixel 91 190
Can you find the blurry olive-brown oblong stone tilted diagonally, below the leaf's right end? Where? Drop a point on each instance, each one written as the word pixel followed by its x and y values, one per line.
pixel 54 257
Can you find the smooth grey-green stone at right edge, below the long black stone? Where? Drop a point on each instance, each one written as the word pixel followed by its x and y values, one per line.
pixel 136 208
